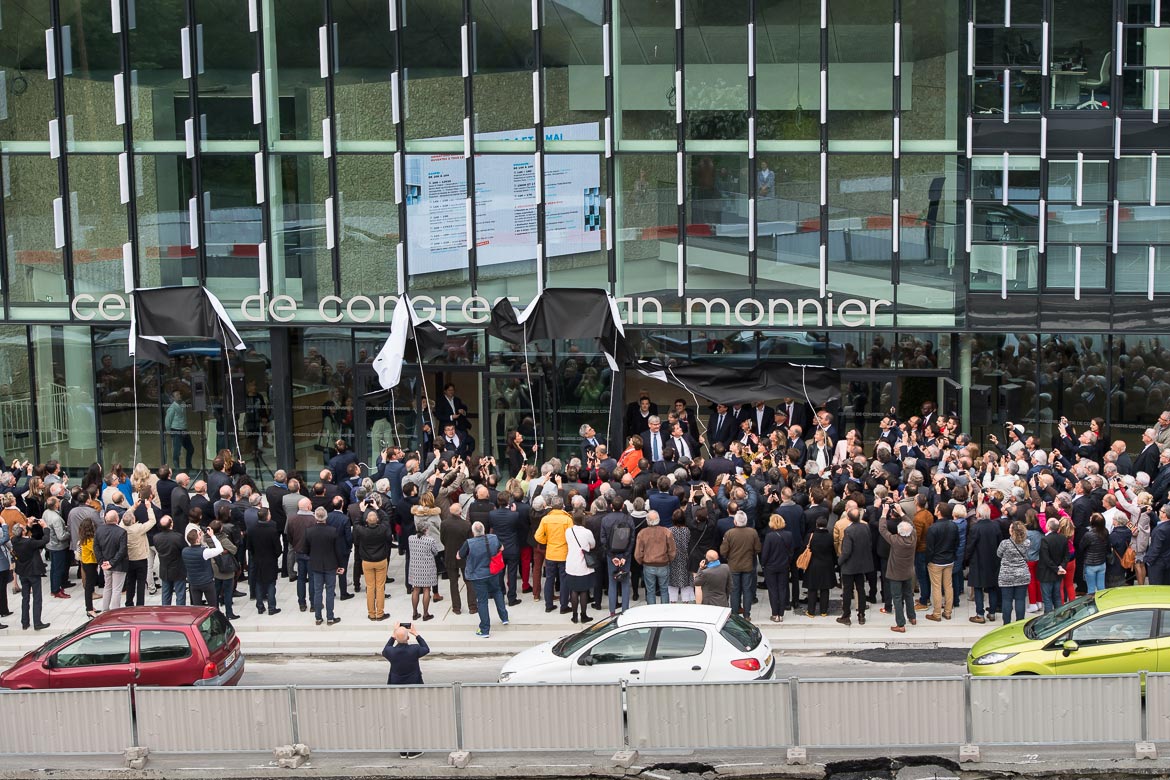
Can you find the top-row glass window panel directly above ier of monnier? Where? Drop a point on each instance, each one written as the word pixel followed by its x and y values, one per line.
pixel 862 70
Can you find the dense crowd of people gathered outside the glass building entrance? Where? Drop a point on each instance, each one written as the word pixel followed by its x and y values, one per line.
pixel 755 502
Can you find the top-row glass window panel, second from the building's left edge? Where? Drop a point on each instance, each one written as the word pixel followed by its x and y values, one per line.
pixel 93 54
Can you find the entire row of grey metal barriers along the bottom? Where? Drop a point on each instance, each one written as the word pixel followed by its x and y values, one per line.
pixel 941 713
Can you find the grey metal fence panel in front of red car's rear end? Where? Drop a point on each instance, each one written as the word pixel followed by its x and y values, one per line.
pixel 221 720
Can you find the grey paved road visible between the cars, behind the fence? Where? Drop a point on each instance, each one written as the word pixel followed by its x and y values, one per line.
pixel 274 671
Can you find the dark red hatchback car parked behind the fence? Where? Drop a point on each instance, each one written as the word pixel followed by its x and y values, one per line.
pixel 144 646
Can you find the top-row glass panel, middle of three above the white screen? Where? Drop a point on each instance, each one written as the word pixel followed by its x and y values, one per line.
pixel 504 66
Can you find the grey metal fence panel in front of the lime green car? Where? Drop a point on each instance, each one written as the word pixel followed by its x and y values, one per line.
pixel 1056 710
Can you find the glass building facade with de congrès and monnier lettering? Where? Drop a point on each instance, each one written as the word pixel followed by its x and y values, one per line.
pixel 940 198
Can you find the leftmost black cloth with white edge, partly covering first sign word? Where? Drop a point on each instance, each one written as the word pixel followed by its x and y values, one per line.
pixel 181 313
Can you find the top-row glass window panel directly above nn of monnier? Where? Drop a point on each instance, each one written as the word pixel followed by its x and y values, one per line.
pixel 788 70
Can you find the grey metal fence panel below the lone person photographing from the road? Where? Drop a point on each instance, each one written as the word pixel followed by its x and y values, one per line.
pixel 386 719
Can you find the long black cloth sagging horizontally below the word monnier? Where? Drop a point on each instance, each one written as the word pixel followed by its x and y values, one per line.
pixel 761 382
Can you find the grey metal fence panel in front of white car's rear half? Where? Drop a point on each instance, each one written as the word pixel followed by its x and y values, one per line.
pixel 710 715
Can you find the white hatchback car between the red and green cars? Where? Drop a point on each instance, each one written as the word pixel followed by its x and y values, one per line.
pixel 658 644
